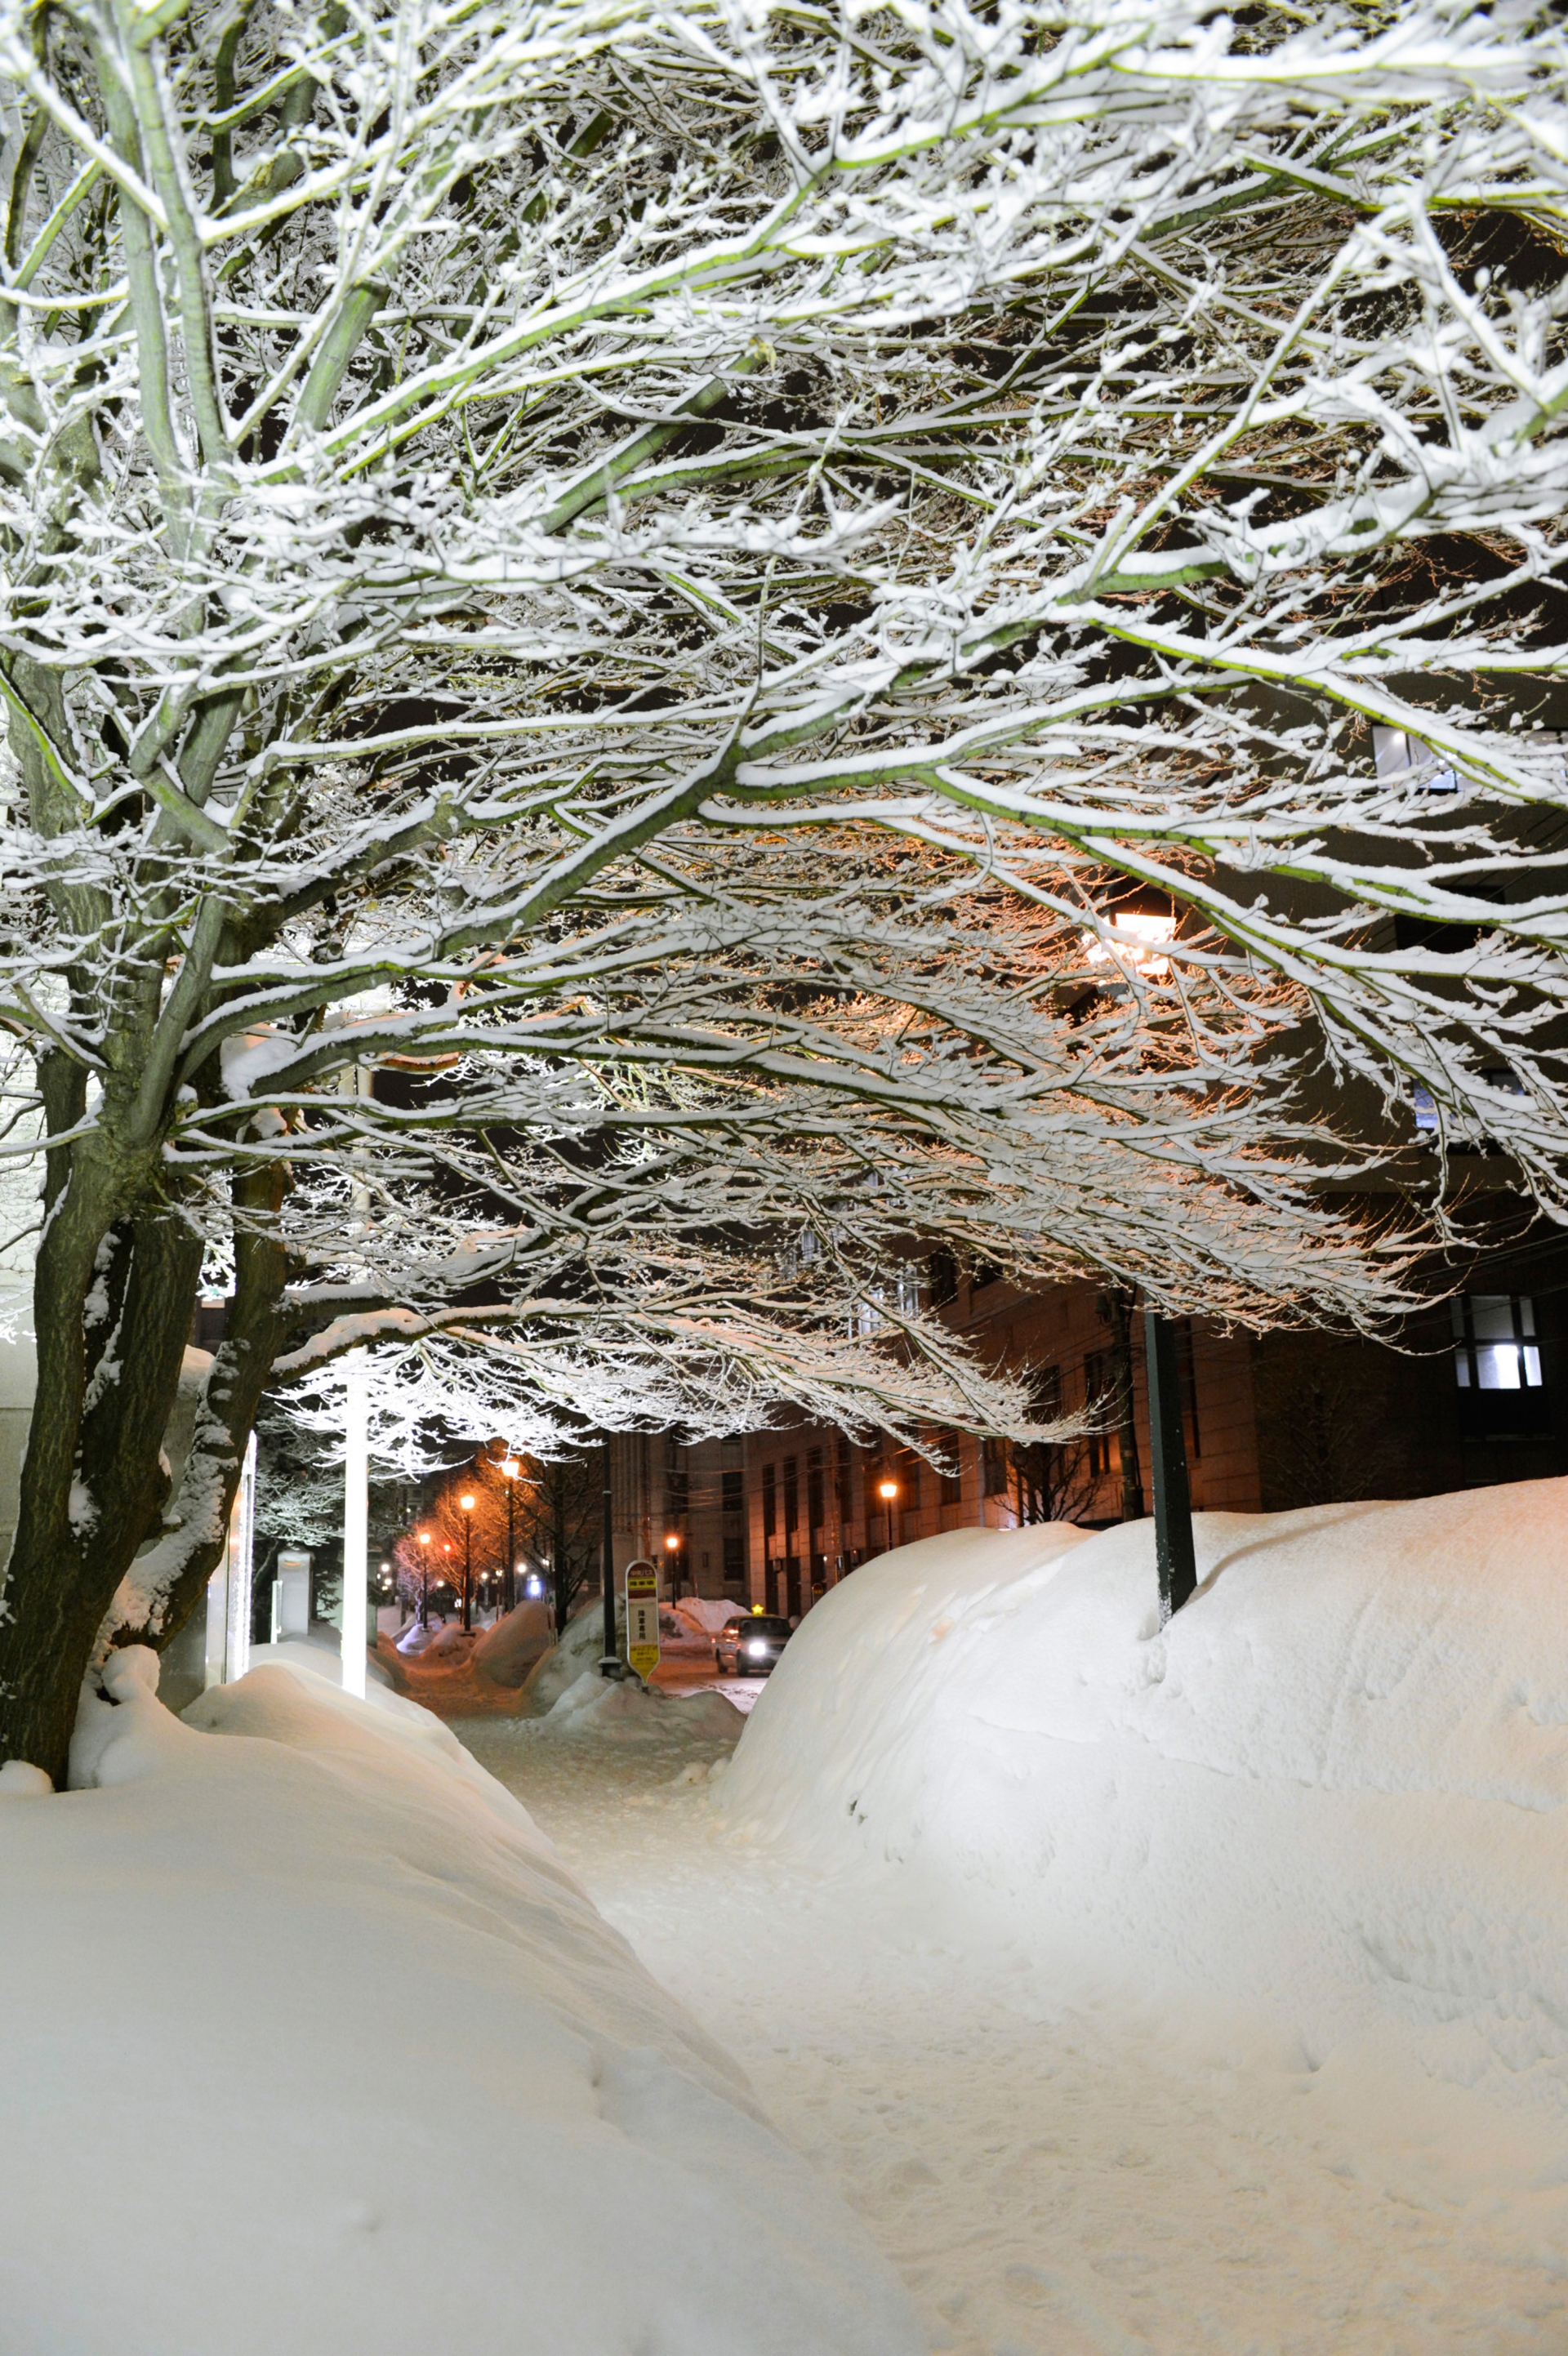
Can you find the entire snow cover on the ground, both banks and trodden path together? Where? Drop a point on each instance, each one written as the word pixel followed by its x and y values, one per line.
pixel 1192 1992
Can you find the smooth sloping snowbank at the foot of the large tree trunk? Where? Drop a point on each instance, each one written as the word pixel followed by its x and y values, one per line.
pixel 220 2138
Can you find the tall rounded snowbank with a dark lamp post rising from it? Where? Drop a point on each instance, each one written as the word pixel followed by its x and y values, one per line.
pixel 1331 1787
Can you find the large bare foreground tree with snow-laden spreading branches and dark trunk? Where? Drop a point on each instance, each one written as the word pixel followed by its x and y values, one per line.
pixel 677 585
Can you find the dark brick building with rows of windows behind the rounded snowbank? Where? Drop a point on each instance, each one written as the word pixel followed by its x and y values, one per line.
pixel 1475 1394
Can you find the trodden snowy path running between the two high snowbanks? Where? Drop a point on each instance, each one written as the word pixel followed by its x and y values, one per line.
pixel 1058 2173
